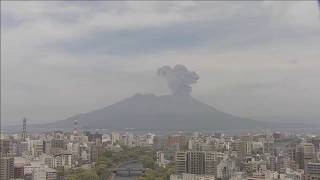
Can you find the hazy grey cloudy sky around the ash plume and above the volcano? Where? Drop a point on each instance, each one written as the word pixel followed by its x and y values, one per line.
pixel 255 59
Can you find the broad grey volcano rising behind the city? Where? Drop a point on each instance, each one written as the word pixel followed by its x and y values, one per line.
pixel 168 112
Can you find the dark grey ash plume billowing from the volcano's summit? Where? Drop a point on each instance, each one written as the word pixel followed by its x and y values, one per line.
pixel 179 79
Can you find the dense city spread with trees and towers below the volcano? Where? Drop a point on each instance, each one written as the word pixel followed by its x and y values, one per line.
pixel 78 154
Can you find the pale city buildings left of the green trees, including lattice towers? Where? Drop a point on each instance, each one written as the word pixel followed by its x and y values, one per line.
pixel 41 156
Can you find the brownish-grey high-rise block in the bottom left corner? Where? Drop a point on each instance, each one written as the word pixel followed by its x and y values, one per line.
pixel 6 168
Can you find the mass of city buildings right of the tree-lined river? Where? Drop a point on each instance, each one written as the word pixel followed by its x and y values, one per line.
pixel 260 156
